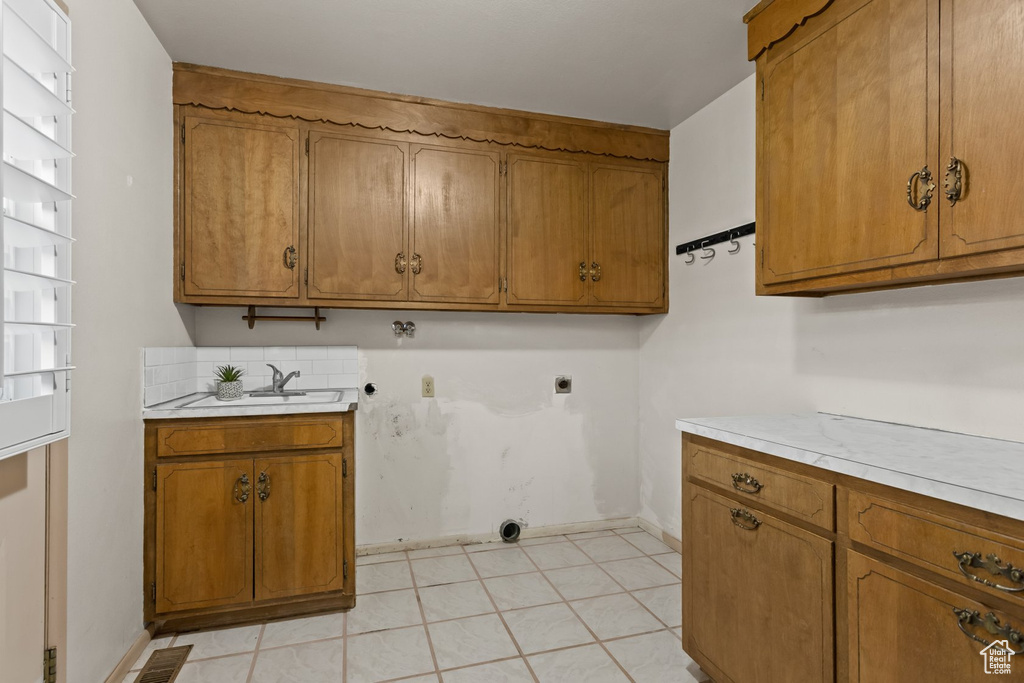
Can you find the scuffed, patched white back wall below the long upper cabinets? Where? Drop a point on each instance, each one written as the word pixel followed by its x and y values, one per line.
pixel 496 442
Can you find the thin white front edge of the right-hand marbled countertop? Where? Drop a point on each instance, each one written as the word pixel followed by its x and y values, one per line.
pixel 971 498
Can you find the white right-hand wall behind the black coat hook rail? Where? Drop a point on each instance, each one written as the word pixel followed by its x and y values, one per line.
pixel 950 357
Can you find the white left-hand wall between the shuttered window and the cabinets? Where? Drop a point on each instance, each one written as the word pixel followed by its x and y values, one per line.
pixel 123 264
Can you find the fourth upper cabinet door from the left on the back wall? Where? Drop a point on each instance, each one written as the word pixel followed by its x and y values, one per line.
pixel 547 224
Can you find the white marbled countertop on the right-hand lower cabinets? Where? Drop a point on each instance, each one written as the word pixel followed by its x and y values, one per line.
pixel 978 473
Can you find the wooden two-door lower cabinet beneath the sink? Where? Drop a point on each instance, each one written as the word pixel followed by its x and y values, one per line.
pixel 238 537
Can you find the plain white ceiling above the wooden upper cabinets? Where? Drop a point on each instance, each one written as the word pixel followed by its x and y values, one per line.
pixel 650 63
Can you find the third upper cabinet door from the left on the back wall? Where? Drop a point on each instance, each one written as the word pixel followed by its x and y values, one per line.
pixel 456 226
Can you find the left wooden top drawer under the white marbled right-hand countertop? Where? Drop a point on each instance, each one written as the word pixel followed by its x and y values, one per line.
pixel 794 495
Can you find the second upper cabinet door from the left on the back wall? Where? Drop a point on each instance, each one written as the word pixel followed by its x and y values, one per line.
pixel 357 219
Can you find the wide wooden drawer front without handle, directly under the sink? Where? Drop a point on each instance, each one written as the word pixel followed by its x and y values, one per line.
pixel 250 437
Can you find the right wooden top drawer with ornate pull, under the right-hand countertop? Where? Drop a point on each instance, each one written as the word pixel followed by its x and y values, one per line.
pixel 940 544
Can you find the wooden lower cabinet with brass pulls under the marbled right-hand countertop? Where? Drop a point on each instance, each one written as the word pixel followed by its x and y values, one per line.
pixel 878 593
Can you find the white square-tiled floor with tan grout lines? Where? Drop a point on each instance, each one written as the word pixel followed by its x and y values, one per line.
pixel 588 608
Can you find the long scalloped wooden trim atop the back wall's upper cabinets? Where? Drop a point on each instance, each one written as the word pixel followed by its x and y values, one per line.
pixel 309 101
